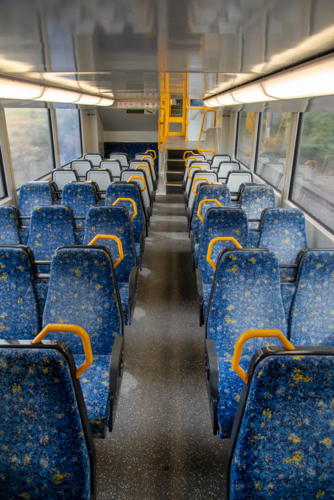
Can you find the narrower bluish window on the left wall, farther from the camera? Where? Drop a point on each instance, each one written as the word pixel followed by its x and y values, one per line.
pixel 69 136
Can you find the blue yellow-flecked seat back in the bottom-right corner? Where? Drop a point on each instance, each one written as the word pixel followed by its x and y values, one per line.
pixel 284 448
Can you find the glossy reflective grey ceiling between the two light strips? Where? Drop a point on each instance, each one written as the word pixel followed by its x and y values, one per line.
pixel 121 48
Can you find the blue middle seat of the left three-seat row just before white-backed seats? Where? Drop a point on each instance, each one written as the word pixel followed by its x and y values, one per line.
pixel 80 196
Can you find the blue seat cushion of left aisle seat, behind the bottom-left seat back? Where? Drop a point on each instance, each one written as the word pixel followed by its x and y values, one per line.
pixel 95 388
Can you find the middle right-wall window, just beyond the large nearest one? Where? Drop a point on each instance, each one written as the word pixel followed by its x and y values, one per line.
pixel 272 147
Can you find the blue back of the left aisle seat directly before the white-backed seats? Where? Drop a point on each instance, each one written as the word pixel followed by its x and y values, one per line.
pixel 125 190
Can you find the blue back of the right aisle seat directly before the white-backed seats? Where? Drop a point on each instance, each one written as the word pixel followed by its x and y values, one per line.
pixel 217 192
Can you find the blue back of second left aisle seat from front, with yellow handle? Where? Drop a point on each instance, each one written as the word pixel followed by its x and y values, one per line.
pixel 83 291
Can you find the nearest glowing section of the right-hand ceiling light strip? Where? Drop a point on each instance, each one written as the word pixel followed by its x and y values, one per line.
pixel 308 81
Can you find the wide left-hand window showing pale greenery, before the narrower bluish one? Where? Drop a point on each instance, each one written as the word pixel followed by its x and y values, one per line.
pixel 30 143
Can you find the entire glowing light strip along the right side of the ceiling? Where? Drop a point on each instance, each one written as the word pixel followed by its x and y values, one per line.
pixel 311 80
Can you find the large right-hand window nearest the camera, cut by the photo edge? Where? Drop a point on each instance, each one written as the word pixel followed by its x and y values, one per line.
pixel 313 179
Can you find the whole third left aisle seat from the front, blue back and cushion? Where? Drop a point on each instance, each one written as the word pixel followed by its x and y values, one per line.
pixel 115 221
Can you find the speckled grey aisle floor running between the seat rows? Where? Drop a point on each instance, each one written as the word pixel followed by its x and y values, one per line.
pixel 162 445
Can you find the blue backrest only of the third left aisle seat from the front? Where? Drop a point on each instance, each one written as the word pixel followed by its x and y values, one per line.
pixel 113 221
